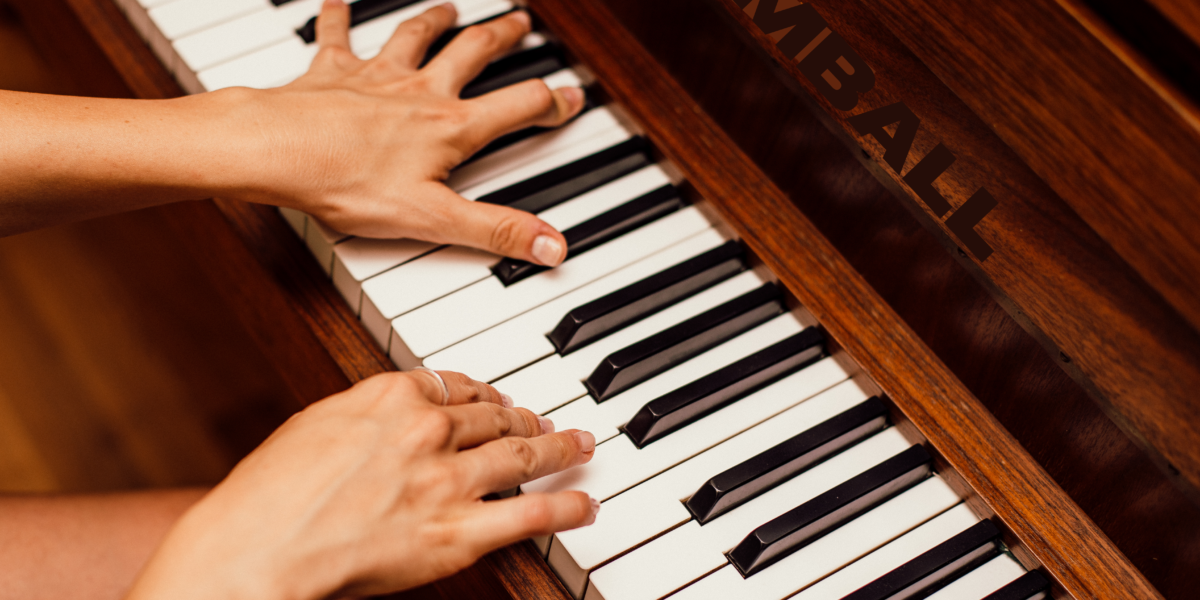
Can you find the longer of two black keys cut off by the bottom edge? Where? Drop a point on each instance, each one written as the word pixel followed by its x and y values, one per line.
pixel 937 568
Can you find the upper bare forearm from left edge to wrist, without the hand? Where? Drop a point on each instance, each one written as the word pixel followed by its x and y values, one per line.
pixel 69 159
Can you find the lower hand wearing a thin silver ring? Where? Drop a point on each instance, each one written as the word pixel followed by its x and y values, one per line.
pixel 373 491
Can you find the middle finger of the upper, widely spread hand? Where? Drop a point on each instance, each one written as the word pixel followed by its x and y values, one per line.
pixel 472 50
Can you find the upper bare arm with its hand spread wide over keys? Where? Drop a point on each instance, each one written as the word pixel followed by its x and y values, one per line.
pixel 364 146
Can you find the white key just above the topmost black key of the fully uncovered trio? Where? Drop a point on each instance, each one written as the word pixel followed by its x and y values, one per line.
pixel 524 338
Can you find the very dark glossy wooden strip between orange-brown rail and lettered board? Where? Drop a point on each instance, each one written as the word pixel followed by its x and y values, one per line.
pixel 1004 367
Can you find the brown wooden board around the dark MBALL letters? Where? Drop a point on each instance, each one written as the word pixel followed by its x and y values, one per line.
pixel 1059 279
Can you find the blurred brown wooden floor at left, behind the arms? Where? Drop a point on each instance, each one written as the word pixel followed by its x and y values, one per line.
pixel 121 367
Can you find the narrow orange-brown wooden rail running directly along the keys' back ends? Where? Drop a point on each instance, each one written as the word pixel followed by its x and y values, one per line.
pixel 1055 531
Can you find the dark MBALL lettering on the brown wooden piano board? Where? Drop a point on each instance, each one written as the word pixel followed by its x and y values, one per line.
pixel 842 77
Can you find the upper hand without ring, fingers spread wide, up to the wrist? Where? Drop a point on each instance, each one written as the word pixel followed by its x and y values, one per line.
pixel 381 136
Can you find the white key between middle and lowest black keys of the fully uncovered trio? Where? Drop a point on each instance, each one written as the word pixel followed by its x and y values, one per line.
pixel 603 419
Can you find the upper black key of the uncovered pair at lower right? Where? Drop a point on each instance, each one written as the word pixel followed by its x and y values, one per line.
pixel 754 477
